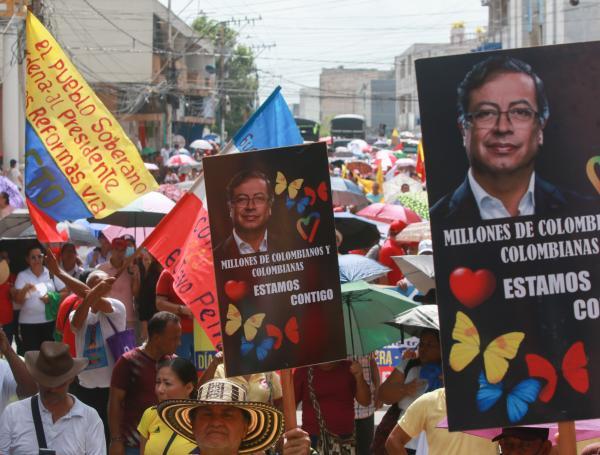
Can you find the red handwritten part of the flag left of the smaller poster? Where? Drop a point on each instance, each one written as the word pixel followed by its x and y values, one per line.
pixel 189 259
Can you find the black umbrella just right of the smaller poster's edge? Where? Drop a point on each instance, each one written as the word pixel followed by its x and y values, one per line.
pixel 357 232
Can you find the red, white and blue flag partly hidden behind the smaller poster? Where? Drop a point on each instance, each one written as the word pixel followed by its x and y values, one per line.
pixel 188 255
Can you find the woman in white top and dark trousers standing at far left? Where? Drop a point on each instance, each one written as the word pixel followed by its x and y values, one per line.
pixel 33 286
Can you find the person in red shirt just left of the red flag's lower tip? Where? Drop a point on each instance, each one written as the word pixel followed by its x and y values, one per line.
pixel 168 300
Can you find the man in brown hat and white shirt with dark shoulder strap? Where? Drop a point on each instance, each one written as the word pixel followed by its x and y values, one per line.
pixel 53 419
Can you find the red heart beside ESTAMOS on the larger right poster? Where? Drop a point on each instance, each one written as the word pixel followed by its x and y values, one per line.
pixel 472 288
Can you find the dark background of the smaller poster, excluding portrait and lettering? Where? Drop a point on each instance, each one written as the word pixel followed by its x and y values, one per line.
pixel 320 324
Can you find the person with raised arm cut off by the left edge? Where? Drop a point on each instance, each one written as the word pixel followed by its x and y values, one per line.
pixel 15 380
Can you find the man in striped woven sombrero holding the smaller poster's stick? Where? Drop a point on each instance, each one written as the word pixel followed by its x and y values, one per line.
pixel 222 422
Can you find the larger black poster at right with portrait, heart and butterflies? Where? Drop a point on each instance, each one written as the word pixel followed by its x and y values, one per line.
pixel 512 177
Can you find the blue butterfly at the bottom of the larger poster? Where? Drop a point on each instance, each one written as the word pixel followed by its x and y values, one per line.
pixel 517 400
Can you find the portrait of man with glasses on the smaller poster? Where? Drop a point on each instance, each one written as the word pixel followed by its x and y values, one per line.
pixel 250 200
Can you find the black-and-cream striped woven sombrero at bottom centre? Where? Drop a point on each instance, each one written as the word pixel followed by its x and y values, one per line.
pixel 265 426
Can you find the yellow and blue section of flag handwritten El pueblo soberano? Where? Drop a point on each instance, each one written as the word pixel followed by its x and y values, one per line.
pixel 79 161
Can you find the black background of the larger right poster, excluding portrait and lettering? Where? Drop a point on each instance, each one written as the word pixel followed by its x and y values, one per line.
pixel 571 74
